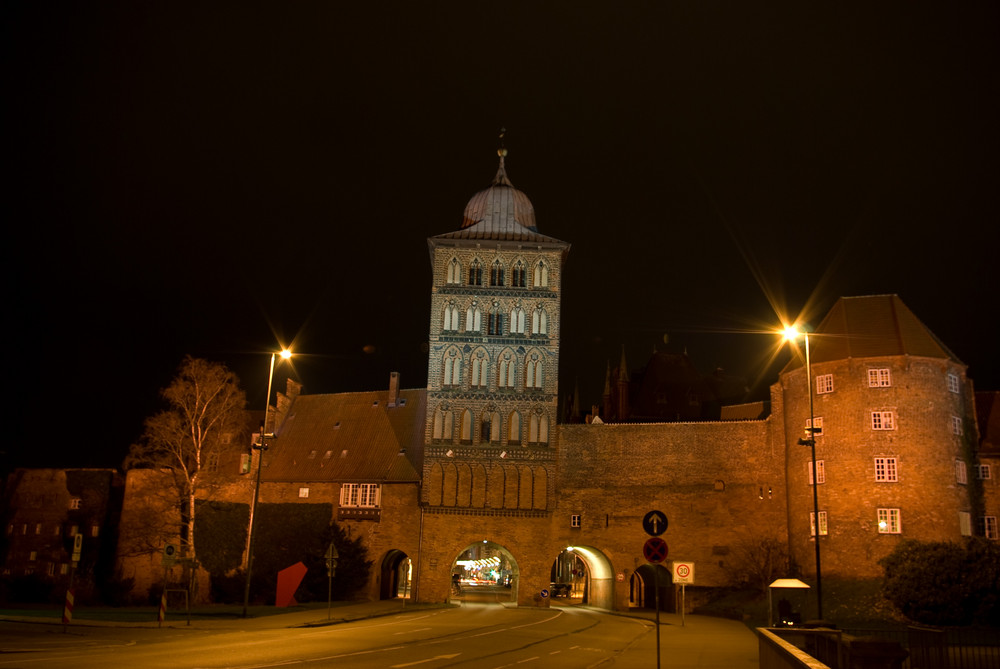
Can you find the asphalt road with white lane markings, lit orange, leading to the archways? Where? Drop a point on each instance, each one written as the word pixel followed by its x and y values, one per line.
pixel 481 635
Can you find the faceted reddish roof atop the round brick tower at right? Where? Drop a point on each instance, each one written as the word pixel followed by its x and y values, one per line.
pixel 868 327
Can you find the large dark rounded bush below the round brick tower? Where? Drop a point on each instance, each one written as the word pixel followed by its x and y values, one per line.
pixel 942 583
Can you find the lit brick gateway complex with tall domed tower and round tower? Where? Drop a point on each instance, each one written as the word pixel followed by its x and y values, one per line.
pixel 476 467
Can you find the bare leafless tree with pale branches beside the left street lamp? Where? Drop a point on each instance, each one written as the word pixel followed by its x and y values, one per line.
pixel 205 410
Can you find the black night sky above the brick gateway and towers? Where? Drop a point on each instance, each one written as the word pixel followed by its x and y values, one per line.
pixel 217 178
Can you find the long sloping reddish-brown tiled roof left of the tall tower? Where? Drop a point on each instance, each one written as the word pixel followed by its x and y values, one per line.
pixel 349 437
